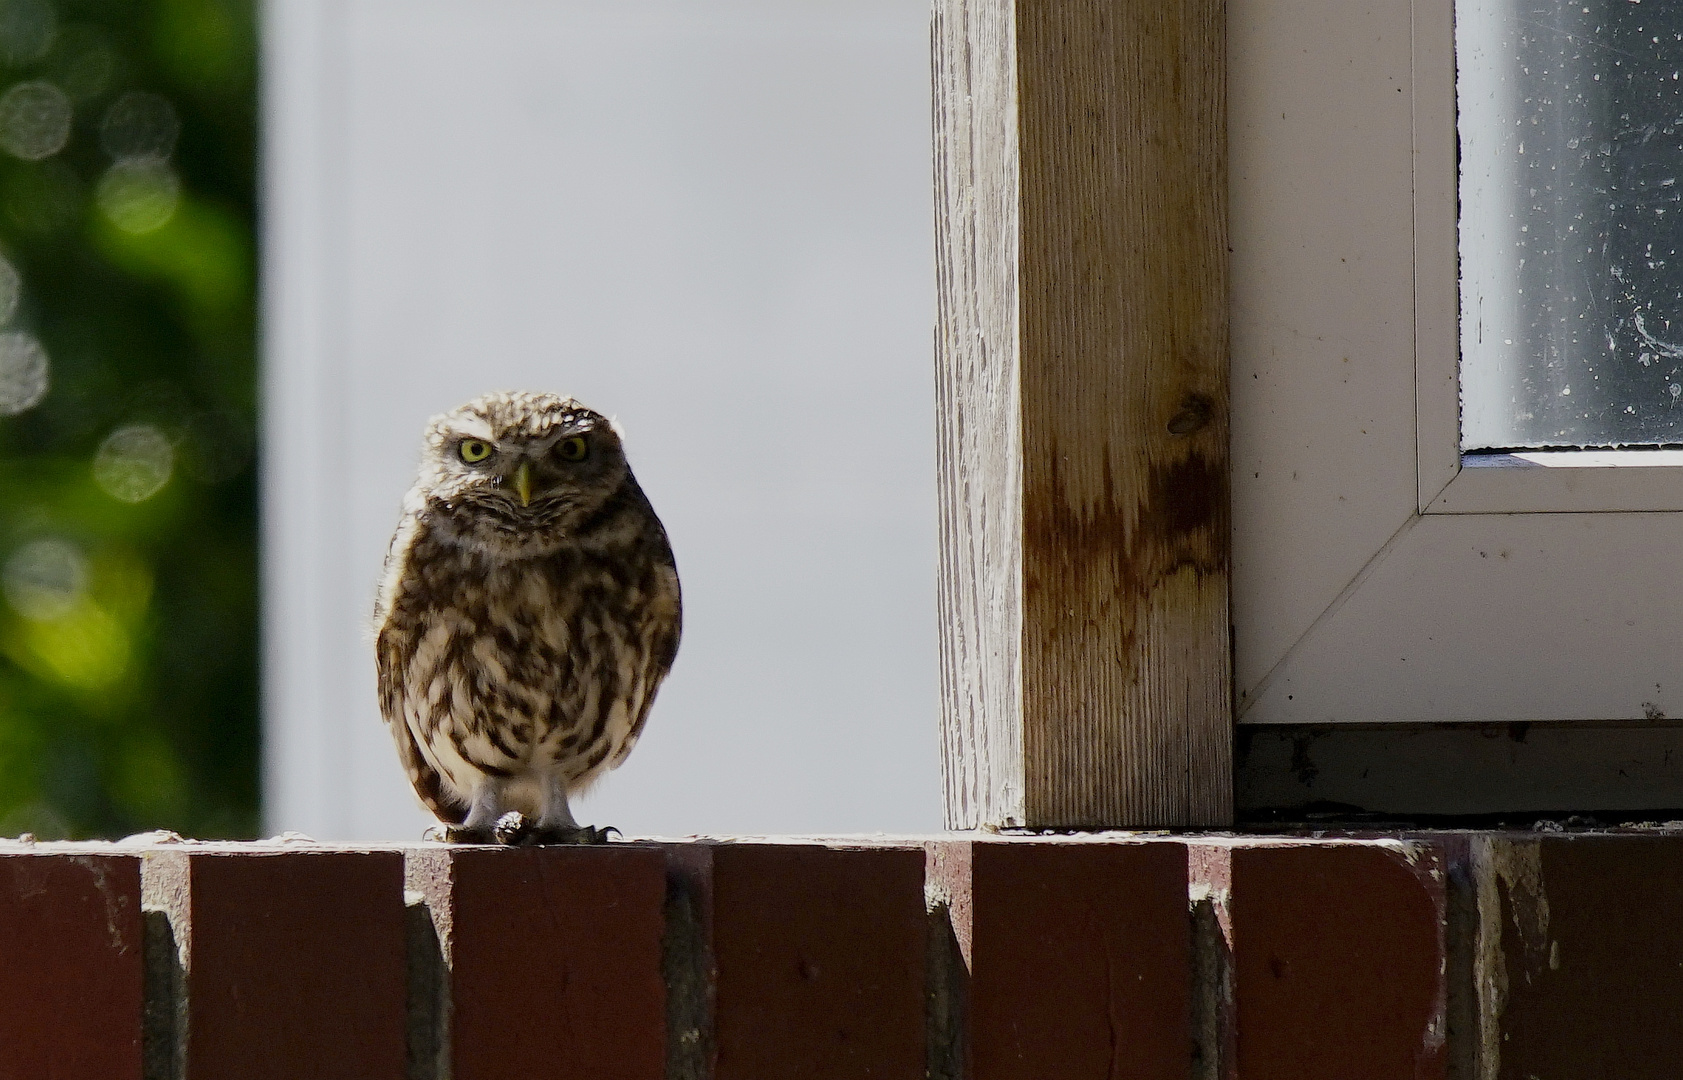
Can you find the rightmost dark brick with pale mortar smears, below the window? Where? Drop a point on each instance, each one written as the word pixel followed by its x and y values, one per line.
pixel 1591 951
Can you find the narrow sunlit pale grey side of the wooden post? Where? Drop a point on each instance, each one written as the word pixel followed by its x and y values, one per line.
pixel 977 413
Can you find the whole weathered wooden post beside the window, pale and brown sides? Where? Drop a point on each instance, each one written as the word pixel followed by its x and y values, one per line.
pixel 1081 201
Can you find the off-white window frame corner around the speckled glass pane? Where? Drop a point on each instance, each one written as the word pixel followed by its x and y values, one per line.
pixel 1379 578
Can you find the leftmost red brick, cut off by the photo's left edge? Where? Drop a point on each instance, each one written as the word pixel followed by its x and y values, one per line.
pixel 72 966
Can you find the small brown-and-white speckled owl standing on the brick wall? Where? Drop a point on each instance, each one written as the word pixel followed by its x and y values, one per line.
pixel 528 615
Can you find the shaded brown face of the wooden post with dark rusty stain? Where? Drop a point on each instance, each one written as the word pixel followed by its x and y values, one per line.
pixel 1127 712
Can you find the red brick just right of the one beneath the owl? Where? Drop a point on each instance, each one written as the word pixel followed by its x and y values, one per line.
pixel 820 961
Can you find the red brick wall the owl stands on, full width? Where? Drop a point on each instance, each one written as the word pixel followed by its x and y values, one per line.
pixel 1440 956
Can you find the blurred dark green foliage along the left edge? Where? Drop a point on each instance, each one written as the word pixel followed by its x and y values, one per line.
pixel 129 516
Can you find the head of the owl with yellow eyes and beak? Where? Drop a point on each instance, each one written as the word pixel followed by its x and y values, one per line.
pixel 518 475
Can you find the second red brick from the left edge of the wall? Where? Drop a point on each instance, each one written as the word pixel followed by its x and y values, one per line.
pixel 295 960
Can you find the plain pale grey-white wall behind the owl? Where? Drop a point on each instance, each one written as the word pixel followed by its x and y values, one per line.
pixel 708 220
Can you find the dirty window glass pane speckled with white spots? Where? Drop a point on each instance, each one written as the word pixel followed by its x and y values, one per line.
pixel 1571 122
